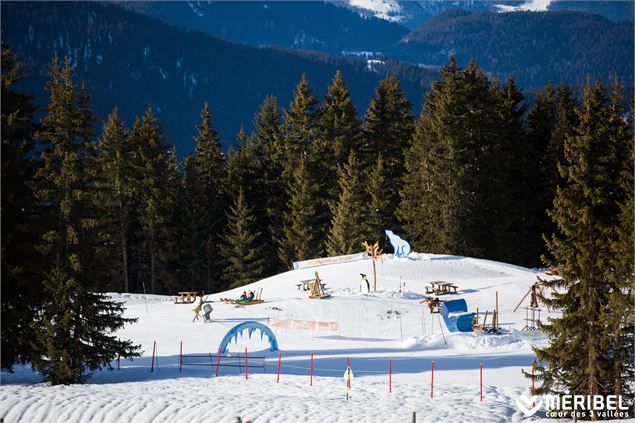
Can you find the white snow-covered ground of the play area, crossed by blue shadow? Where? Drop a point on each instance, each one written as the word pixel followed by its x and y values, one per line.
pixel 371 329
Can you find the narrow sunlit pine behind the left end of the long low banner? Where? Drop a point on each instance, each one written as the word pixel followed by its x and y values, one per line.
pixel 299 240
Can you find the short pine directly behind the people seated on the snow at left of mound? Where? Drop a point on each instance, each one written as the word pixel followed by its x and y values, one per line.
pixel 243 254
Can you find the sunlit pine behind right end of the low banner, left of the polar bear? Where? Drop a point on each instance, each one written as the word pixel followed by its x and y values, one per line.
pixel 346 231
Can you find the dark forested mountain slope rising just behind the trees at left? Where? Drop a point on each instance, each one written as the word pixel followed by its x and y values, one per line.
pixel 132 61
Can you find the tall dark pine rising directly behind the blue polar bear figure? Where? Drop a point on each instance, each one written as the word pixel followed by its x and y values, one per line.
pixel 388 129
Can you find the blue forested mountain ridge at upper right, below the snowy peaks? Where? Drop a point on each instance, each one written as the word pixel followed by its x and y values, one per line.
pixel 534 47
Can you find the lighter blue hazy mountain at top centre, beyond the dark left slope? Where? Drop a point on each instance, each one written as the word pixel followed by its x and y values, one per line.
pixel 313 25
